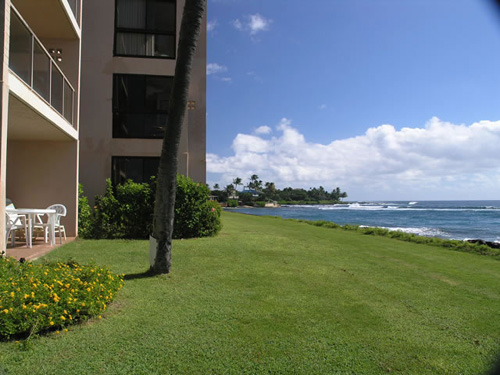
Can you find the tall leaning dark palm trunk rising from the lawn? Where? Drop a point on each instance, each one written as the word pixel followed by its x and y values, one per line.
pixel 163 217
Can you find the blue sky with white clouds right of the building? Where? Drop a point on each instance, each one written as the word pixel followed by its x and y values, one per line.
pixel 387 99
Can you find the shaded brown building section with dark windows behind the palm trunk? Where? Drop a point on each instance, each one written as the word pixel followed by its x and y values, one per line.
pixel 128 63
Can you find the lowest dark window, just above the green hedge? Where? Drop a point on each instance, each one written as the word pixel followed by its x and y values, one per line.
pixel 137 169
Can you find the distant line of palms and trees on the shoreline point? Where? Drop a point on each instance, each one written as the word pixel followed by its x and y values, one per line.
pixel 256 193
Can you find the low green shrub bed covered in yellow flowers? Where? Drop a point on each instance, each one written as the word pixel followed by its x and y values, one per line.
pixel 34 298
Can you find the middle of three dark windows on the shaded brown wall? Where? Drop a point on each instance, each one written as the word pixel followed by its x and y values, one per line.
pixel 140 104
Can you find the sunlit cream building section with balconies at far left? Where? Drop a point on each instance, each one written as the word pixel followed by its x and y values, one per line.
pixel 39 105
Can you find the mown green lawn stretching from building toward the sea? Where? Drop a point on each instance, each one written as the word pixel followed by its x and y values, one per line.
pixel 280 297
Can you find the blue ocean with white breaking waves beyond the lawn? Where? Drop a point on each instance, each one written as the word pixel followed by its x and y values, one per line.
pixel 445 219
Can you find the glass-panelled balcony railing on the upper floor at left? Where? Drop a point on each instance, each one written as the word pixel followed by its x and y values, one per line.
pixel 31 62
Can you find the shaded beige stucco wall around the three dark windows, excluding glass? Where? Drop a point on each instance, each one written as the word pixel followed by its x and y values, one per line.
pixel 98 65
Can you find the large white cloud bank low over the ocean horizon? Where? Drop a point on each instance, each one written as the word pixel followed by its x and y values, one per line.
pixel 439 161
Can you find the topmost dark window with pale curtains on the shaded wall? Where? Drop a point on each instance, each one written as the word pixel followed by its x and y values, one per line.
pixel 145 28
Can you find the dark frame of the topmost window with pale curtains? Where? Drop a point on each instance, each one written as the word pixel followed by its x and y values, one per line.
pixel 145 32
